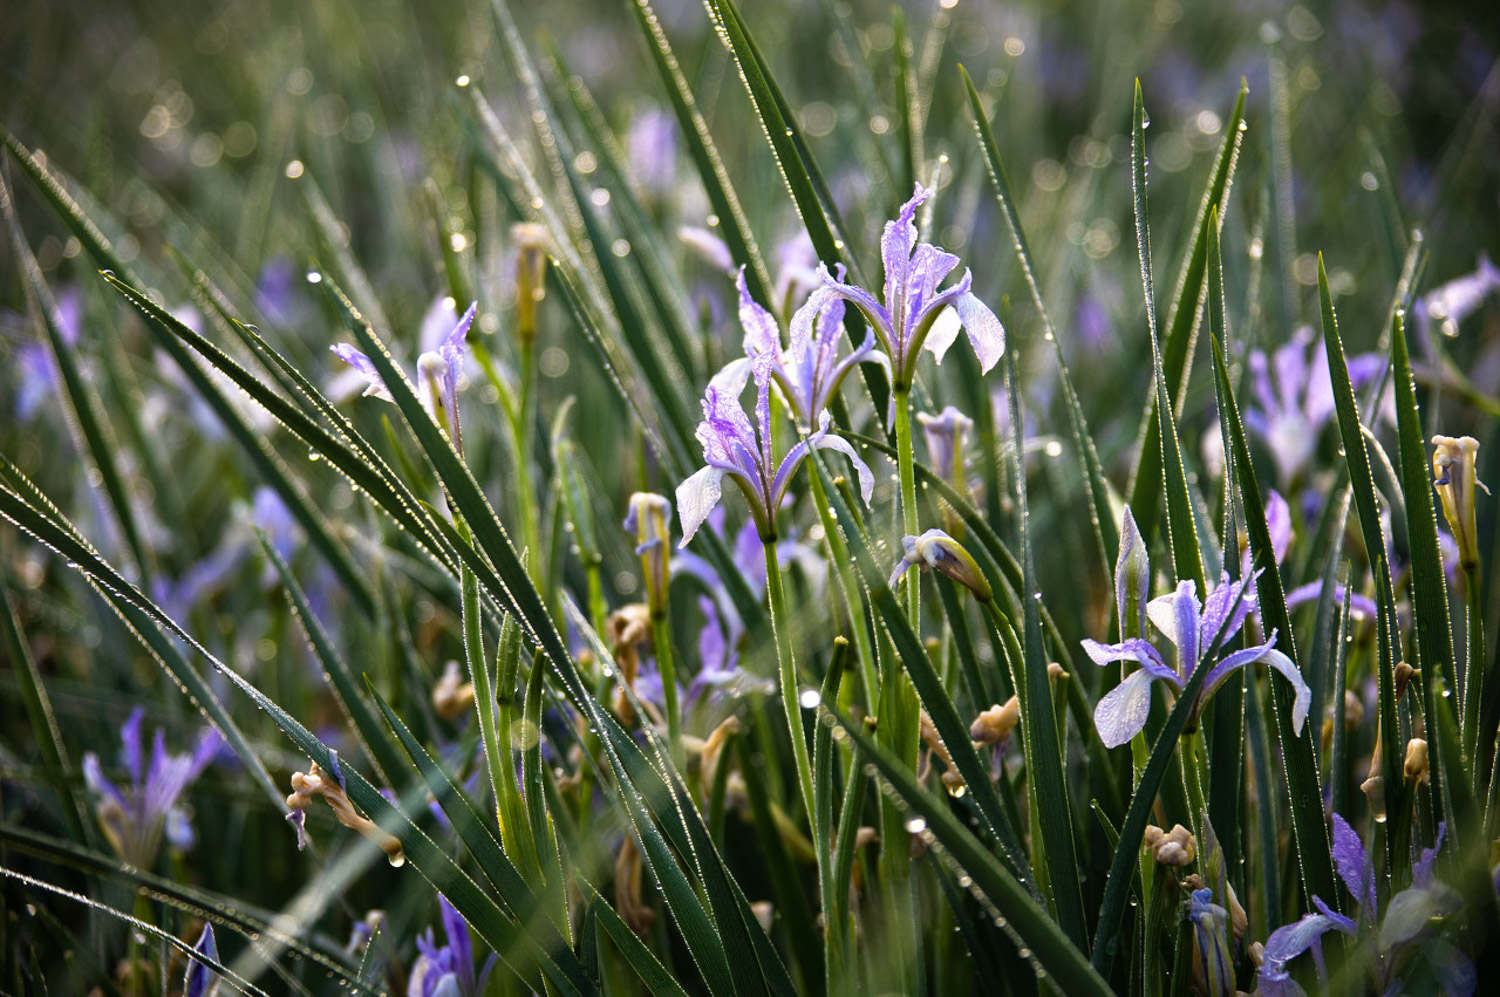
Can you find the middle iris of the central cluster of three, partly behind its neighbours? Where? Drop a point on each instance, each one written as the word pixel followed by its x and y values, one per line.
pixel 811 370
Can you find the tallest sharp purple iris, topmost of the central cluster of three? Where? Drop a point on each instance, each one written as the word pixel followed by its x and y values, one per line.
pixel 916 313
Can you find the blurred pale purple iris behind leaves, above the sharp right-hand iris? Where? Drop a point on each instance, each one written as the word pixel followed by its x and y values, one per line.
pixel 1294 400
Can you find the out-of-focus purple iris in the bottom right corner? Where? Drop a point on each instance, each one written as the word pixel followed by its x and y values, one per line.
pixel 1406 930
